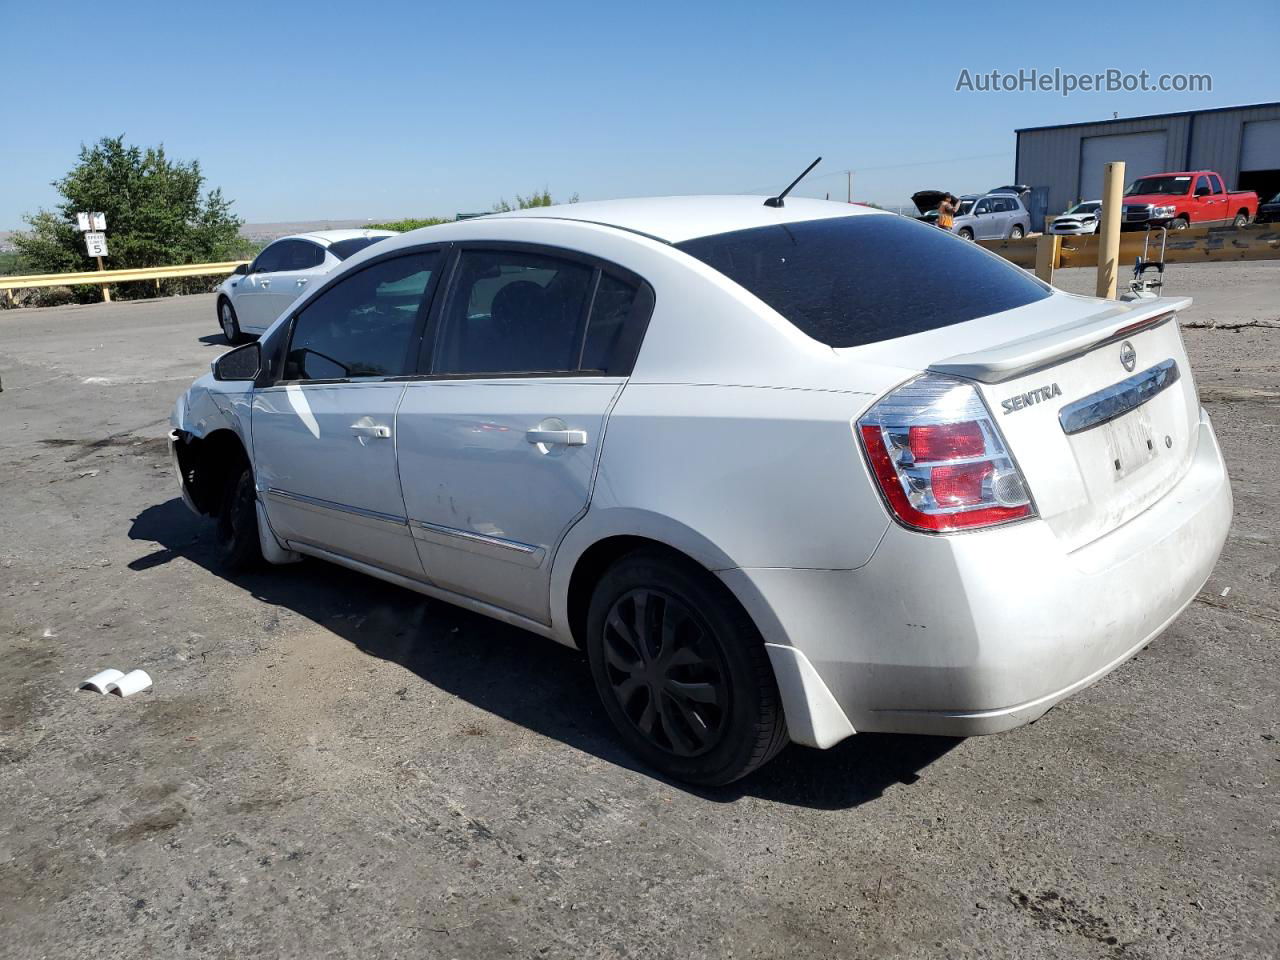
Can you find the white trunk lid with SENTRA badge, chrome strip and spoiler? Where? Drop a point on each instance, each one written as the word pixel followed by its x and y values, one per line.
pixel 1095 400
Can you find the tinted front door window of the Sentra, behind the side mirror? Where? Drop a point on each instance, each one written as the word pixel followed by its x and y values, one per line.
pixel 364 324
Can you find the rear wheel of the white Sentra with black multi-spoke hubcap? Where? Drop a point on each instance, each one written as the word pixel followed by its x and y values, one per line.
pixel 682 671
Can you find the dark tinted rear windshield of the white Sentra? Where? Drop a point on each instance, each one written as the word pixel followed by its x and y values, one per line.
pixel 862 280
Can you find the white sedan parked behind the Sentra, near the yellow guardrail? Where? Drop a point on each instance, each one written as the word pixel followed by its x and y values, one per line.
pixel 252 299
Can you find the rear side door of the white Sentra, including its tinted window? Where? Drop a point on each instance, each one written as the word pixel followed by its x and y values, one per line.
pixel 499 442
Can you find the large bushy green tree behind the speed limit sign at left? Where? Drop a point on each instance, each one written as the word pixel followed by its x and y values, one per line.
pixel 158 213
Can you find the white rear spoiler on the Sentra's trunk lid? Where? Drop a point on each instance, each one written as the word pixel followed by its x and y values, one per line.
pixel 1048 348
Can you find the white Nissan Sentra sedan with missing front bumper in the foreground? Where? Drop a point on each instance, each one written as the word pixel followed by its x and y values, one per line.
pixel 781 473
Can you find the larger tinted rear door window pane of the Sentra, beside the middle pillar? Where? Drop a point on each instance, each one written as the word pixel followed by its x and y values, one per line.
pixel 514 313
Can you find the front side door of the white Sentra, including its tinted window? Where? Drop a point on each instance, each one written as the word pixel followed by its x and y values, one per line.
pixel 324 435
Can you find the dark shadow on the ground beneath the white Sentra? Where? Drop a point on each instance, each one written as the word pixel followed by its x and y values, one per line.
pixel 518 675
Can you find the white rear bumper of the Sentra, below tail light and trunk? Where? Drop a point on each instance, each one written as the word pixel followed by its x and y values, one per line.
pixel 982 633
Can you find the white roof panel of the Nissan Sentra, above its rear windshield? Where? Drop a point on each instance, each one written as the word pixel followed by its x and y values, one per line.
pixel 675 220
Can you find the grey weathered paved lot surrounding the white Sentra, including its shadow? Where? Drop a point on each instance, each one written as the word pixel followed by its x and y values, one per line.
pixel 333 767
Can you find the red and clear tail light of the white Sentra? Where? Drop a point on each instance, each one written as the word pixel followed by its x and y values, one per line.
pixel 940 460
